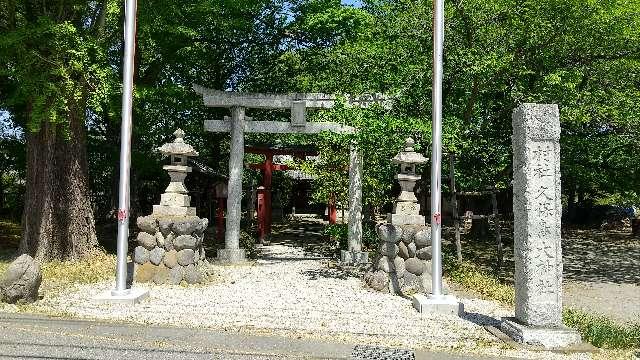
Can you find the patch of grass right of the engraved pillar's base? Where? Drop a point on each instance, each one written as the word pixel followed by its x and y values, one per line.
pixel 601 331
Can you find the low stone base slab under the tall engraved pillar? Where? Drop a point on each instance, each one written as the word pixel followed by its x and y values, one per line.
pixel 548 337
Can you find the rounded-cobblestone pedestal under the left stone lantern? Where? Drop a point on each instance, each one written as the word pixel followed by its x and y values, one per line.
pixel 170 250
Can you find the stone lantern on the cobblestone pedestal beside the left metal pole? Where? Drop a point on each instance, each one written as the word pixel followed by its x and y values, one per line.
pixel 176 201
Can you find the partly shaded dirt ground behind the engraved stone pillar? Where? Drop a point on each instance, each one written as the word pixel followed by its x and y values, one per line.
pixel 601 269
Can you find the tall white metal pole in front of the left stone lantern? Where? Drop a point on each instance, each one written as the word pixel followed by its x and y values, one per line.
pixel 125 148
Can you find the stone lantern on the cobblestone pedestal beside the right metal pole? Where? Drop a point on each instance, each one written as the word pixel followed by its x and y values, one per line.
pixel 406 210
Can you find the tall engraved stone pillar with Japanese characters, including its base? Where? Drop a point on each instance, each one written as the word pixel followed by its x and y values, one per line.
pixel 537 212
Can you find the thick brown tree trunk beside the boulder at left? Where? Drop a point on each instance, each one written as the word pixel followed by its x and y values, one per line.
pixel 58 218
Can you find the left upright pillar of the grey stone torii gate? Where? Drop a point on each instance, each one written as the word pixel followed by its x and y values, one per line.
pixel 232 251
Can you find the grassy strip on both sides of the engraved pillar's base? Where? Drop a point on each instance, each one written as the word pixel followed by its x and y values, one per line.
pixel 597 330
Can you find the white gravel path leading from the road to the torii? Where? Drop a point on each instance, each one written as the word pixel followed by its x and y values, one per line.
pixel 291 293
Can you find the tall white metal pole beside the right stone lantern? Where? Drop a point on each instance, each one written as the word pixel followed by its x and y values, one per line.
pixel 436 151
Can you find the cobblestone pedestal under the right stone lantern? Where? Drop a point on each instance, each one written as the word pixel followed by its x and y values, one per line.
pixel 404 263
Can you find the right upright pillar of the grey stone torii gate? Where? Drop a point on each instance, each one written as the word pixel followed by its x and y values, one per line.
pixel 354 253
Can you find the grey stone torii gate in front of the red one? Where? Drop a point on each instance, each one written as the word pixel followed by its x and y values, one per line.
pixel 298 103
